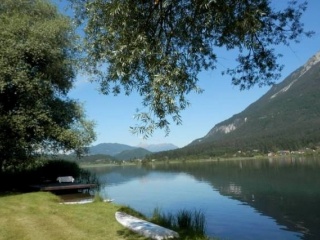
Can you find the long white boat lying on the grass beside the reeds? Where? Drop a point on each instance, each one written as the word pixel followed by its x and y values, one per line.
pixel 145 228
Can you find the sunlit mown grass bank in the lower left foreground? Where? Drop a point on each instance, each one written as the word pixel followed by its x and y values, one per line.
pixel 38 216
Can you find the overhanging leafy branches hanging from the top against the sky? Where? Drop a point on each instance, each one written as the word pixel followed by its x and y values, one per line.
pixel 157 48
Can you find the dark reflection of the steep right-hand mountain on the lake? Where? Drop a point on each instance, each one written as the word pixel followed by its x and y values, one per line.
pixel 287 190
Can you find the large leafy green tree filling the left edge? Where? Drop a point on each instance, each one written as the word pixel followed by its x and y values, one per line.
pixel 37 69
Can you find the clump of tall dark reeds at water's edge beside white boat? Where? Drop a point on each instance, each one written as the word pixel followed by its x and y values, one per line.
pixel 186 223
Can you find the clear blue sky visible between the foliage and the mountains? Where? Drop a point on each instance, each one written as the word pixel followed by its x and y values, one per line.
pixel 220 100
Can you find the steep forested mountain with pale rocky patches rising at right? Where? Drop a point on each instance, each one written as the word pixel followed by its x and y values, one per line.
pixel 287 117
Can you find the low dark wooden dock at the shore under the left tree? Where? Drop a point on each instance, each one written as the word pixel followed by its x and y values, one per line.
pixel 54 187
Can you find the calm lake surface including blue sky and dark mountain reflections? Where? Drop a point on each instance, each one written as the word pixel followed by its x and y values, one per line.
pixel 243 199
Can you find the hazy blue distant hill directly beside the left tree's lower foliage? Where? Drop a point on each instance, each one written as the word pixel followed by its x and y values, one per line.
pixel 111 149
